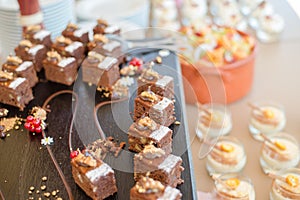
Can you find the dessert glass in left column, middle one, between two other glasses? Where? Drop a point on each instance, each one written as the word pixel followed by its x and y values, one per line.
pixel 226 156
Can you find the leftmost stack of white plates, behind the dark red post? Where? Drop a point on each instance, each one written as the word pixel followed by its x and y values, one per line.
pixel 57 14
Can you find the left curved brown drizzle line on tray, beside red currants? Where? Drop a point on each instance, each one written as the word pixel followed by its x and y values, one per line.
pixel 61 174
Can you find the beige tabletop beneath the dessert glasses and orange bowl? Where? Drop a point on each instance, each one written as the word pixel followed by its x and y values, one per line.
pixel 276 79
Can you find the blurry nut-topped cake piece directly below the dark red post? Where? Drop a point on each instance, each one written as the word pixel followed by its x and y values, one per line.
pixel 37 35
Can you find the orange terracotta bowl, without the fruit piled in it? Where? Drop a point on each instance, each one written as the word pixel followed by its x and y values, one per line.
pixel 224 84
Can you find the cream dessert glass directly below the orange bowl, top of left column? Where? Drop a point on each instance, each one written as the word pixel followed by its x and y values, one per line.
pixel 214 120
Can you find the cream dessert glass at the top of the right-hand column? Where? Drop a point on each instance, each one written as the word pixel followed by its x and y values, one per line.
pixel 267 119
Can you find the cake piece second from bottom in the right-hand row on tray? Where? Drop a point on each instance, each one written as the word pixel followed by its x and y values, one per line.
pixel 158 165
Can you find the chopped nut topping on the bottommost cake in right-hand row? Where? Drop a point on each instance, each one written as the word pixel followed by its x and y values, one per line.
pixel 148 185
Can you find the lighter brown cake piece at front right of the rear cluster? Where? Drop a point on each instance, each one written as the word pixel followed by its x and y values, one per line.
pixel 100 70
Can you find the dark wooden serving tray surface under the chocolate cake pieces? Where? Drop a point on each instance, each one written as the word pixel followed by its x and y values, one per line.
pixel 24 161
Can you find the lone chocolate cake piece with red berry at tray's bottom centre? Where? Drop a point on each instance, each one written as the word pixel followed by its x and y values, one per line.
pixel 96 178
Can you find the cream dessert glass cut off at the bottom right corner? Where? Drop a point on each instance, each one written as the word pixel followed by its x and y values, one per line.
pixel 289 187
